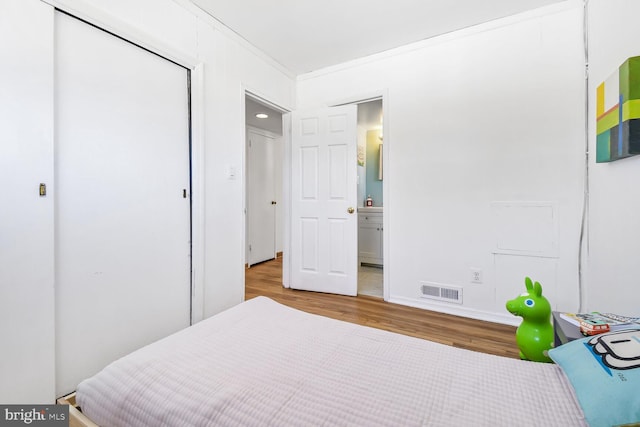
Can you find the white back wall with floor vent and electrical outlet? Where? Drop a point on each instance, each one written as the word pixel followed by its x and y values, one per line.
pixel 492 113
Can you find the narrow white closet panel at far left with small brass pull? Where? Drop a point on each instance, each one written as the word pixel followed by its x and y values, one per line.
pixel 26 219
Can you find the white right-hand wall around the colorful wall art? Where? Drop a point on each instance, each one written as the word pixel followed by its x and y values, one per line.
pixel 614 229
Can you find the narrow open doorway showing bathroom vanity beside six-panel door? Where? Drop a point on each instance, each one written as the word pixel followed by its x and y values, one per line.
pixel 370 199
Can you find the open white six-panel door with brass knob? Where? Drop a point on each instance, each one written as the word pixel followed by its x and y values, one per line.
pixel 323 200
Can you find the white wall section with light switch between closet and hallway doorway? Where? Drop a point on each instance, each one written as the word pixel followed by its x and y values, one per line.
pixel 232 68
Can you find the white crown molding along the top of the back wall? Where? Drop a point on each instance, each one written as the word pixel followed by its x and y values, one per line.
pixel 436 40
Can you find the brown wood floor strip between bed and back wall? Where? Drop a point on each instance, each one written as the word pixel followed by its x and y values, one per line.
pixel 266 279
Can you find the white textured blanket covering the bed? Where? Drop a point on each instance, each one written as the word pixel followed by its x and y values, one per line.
pixel 265 364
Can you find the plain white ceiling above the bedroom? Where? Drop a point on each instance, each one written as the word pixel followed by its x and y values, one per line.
pixel 304 35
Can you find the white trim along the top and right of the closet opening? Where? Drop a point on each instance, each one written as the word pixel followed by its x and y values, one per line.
pixel 127 32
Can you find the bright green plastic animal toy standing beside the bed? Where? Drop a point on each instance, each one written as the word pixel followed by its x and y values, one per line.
pixel 534 336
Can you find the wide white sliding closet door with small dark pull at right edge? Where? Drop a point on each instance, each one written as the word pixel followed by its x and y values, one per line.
pixel 122 218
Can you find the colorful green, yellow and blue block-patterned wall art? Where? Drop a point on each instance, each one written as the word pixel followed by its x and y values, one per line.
pixel 618 113
